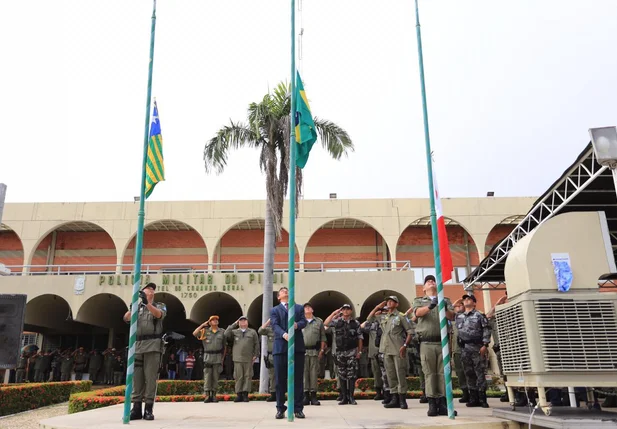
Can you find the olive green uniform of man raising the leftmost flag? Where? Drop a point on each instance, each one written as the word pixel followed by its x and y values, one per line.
pixel 148 350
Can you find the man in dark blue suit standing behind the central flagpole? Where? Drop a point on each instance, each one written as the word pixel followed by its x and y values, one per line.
pixel 278 318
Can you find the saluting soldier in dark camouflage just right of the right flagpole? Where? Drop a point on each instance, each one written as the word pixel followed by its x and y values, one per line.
pixel 474 336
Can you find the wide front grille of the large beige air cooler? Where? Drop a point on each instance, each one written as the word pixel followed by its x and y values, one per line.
pixel 578 335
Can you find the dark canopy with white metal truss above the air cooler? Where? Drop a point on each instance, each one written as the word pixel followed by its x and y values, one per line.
pixel 584 186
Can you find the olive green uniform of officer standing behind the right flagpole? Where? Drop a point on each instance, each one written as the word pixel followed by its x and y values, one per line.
pixel 429 335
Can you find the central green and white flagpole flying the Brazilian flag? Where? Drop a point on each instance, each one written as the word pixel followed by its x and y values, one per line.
pixel 292 226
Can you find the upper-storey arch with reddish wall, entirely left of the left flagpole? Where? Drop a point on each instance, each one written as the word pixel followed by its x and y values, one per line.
pixel 75 243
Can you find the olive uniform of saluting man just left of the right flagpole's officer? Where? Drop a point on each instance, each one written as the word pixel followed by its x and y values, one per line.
pixel 395 328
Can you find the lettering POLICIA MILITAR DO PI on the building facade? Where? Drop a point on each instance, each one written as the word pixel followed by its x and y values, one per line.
pixel 189 284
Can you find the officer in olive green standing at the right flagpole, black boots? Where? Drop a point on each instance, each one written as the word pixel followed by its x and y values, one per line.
pixel 428 329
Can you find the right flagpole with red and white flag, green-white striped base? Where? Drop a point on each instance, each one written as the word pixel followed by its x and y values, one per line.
pixel 443 322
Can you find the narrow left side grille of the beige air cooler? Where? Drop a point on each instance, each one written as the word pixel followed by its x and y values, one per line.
pixel 513 340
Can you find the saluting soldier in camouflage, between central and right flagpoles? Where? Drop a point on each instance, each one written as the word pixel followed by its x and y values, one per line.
pixel 348 338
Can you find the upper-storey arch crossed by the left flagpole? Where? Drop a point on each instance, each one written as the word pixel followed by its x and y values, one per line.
pixel 169 245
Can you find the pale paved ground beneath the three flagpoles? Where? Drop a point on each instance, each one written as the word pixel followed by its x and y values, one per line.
pixel 260 415
